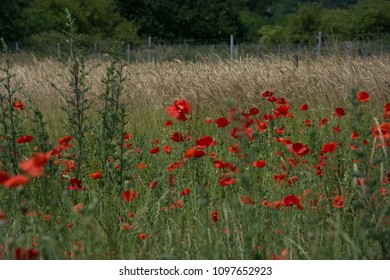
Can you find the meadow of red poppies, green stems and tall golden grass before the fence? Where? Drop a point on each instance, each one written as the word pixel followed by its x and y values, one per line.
pixel 258 170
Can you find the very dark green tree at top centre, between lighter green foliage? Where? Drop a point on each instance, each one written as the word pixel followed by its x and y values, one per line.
pixel 180 19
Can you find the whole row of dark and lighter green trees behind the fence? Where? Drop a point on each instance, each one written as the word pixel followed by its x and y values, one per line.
pixel 266 21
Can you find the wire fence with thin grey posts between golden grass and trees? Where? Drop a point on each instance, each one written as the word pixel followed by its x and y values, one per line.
pixel 211 50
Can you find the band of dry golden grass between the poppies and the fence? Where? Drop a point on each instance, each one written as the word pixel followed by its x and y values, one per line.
pixel 156 84
